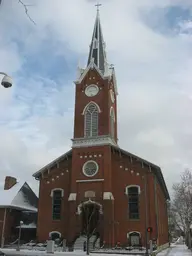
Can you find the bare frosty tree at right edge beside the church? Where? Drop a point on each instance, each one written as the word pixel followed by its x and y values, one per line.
pixel 181 207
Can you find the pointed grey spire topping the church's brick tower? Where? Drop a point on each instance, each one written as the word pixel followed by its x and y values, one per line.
pixel 97 52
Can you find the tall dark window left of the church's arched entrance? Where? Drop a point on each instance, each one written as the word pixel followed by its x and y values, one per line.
pixel 57 202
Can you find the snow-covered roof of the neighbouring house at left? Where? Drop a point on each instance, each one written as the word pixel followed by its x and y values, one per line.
pixel 15 198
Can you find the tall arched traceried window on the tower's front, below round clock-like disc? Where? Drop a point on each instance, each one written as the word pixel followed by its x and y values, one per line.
pixel 91 120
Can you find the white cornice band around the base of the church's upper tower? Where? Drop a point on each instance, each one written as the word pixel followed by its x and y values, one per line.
pixel 94 141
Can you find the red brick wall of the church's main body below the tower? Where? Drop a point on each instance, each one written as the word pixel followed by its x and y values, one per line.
pixel 116 173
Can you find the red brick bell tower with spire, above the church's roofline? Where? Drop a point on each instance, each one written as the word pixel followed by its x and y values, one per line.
pixel 95 120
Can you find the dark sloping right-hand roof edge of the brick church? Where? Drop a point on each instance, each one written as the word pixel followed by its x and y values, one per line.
pixel 155 169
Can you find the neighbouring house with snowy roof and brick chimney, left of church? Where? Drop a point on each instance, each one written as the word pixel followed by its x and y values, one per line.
pixel 18 203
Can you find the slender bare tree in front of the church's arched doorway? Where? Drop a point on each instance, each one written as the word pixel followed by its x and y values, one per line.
pixel 90 220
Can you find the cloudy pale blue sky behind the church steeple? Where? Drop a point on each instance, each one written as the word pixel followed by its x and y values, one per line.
pixel 150 44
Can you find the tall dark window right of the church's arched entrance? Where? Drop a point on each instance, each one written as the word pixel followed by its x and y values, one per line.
pixel 133 202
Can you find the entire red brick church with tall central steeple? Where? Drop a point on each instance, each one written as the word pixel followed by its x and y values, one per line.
pixel 129 192
